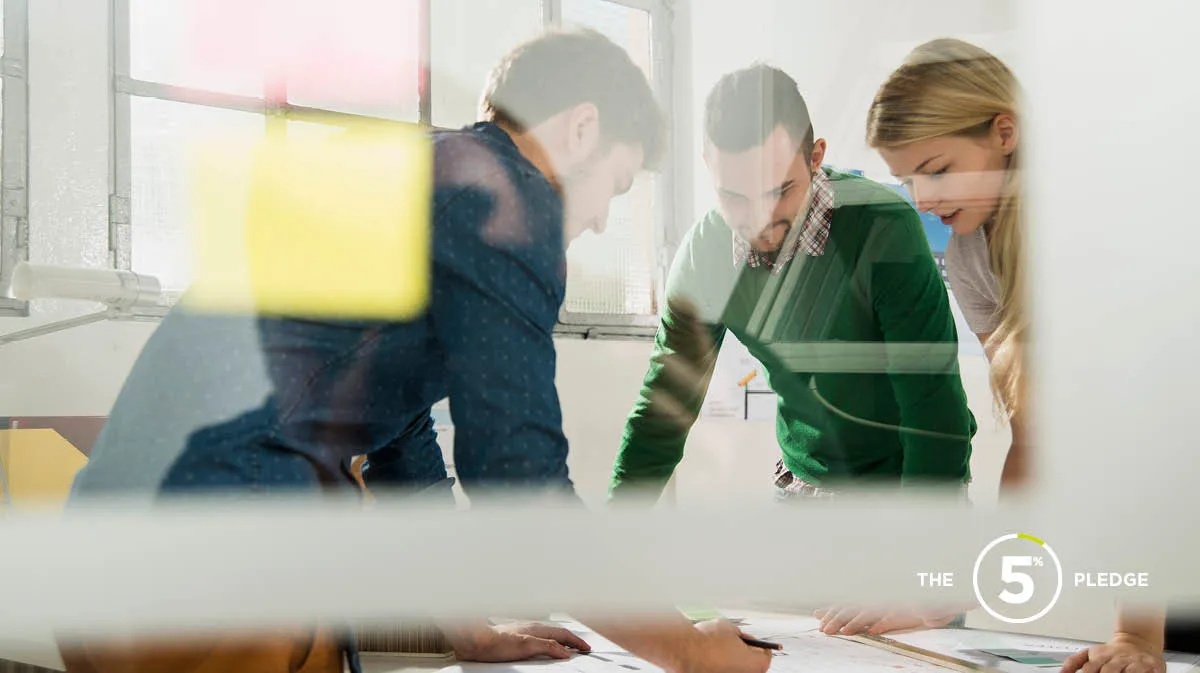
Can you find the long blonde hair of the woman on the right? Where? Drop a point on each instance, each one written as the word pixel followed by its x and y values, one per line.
pixel 952 88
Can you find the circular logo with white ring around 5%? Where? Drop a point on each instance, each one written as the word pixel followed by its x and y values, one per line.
pixel 1018 579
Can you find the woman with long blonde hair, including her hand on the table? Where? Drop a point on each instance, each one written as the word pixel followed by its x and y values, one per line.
pixel 947 123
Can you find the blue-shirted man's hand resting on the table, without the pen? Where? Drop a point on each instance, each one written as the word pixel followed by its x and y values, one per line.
pixel 512 642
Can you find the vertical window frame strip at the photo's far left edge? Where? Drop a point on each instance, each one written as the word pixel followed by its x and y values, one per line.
pixel 15 188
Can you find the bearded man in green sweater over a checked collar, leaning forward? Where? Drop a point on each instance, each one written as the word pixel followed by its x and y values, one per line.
pixel 830 283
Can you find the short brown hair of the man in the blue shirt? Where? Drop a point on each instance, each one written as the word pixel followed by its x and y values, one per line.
pixel 562 69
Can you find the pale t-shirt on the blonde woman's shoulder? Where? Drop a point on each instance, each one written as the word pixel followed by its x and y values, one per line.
pixel 973 281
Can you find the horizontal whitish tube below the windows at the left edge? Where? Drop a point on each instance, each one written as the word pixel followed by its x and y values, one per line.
pixel 112 287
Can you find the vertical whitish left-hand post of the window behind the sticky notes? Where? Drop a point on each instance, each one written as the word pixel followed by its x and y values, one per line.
pixel 121 176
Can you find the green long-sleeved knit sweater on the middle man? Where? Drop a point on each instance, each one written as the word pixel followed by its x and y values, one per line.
pixel 857 342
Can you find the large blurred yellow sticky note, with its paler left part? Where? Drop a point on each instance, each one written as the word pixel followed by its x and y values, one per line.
pixel 316 226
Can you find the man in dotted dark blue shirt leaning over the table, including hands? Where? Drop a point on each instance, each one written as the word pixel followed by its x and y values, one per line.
pixel 569 121
